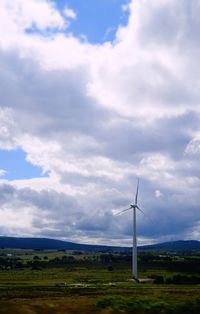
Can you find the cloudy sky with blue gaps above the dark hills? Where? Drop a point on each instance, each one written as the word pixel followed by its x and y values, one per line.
pixel 93 95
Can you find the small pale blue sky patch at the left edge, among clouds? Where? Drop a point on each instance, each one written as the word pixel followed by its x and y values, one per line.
pixel 17 167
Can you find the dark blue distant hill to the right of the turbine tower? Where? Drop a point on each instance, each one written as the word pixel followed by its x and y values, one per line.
pixel 175 246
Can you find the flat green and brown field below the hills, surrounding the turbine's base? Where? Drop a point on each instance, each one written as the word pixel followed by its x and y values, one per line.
pixel 75 282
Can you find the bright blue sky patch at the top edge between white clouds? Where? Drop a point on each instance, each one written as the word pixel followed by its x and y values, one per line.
pixel 97 20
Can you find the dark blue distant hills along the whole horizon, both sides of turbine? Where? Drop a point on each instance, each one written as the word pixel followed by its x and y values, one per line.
pixel 52 244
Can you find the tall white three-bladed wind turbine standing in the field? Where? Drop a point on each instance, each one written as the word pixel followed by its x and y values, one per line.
pixel 134 207
